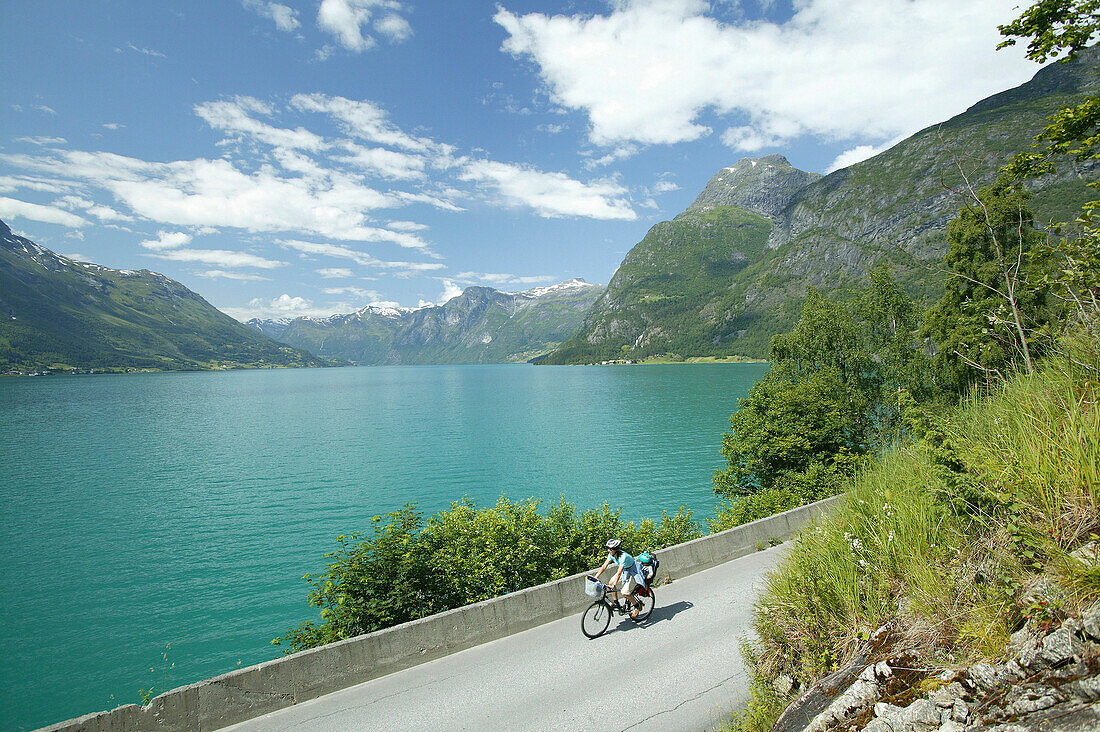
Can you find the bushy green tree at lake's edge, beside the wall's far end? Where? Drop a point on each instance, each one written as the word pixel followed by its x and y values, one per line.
pixel 839 385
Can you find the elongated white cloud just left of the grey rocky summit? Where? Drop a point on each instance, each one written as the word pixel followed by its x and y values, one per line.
pixel 552 195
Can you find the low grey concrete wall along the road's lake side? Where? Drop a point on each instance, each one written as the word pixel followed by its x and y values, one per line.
pixel 257 691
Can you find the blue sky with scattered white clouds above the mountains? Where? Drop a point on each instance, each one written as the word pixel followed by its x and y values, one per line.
pixel 312 158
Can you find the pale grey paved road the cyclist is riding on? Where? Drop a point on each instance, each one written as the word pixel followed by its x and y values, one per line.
pixel 679 671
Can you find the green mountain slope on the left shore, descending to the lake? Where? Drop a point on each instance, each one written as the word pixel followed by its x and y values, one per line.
pixel 57 313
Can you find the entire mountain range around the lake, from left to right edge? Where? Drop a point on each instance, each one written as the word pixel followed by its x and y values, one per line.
pixel 720 279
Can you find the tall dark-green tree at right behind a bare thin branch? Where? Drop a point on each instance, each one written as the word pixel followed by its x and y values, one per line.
pixel 993 308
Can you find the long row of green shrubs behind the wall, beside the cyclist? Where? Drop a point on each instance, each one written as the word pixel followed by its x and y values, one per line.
pixel 410 569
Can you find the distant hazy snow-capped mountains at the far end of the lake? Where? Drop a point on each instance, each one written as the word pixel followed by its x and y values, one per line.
pixel 480 326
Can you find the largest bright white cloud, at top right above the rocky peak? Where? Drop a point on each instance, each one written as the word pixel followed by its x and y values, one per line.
pixel 647 71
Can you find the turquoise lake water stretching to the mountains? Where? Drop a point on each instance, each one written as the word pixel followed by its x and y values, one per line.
pixel 183 509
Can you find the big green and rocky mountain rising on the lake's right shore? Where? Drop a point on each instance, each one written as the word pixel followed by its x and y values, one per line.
pixel 670 298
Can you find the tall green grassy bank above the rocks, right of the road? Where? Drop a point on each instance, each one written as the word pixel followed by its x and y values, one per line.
pixel 962 537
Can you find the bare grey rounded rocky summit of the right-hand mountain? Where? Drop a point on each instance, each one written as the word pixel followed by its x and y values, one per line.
pixel 762 185
